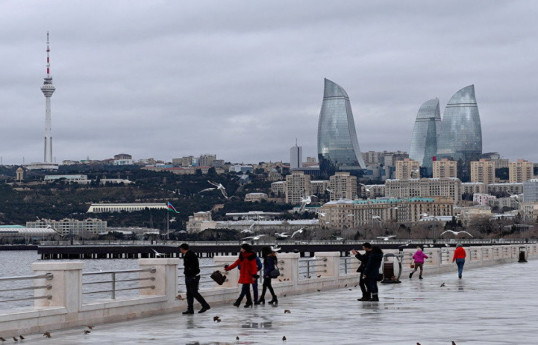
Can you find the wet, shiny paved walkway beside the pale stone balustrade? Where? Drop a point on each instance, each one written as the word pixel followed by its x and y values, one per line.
pixel 489 306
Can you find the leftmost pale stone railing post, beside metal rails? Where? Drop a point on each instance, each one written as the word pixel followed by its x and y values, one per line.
pixel 66 285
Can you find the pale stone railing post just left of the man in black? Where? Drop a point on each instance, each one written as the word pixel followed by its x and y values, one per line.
pixel 165 277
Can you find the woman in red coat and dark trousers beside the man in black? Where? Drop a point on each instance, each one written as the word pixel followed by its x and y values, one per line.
pixel 247 272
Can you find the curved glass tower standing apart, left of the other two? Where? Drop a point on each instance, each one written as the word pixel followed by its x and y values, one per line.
pixel 338 146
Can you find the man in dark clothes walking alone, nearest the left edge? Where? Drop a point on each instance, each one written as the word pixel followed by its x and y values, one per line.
pixel 192 279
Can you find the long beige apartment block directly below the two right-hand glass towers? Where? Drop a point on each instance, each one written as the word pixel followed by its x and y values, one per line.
pixel 425 187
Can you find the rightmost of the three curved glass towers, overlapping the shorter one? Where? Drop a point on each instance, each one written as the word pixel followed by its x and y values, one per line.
pixel 461 132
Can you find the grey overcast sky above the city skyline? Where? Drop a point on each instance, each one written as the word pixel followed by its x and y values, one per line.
pixel 243 79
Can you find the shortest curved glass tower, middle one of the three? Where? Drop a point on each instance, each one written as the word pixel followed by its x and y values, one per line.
pixel 425 133
